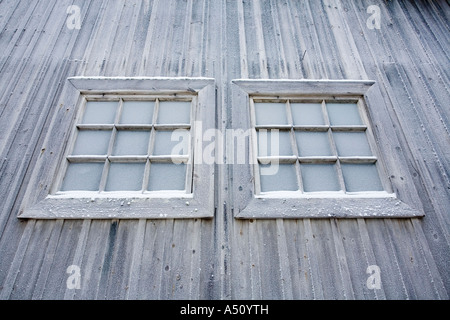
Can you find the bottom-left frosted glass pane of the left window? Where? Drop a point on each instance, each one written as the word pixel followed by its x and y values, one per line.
pixel 82 177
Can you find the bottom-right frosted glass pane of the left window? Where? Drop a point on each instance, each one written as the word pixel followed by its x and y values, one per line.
pixel 167 176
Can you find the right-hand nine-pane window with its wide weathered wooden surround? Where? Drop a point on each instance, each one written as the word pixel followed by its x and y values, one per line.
pixel 312 152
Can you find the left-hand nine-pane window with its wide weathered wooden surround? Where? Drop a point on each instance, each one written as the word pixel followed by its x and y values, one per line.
pixel 131 151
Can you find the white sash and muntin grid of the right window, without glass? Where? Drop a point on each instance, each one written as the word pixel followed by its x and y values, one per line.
pixel 296 159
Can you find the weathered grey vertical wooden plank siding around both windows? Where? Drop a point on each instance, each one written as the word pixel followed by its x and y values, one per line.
pixel 225 258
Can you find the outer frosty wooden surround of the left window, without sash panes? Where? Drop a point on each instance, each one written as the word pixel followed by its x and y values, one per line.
pixel 196 201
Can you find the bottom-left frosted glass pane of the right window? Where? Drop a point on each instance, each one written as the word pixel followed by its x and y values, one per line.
pixel 283 179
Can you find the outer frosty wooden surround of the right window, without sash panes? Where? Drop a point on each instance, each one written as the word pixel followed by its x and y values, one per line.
pixel 295 204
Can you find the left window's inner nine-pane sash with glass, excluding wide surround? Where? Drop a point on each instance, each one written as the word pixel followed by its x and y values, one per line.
pixel 130 144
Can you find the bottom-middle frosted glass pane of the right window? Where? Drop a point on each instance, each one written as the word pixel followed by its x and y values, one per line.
pixel 319 177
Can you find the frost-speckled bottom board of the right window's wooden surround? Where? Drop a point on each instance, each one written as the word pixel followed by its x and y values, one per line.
pixel 327 207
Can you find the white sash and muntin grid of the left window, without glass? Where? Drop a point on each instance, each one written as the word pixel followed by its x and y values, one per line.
pixel 110 158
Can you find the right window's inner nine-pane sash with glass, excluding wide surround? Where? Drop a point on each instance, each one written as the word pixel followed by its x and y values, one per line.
pixel 320 147
